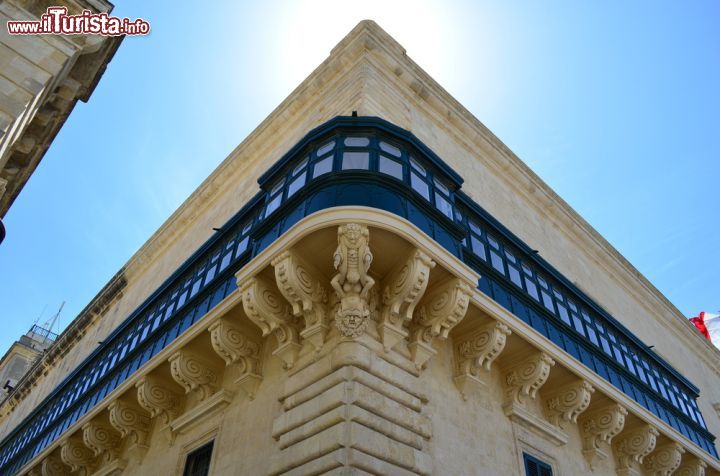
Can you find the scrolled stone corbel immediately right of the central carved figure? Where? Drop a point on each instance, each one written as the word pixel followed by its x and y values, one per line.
pixel 402 292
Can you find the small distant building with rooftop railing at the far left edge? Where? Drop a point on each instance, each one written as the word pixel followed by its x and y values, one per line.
pixel 21 356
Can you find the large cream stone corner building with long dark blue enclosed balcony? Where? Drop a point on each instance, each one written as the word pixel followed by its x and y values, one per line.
pixel 377 307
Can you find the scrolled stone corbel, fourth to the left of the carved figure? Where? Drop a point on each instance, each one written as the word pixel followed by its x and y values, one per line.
pixel 195 374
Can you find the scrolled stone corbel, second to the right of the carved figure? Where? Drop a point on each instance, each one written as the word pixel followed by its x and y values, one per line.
pixel 439 312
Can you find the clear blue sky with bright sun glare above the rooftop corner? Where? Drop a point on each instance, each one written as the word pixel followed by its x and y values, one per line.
pixel 616 105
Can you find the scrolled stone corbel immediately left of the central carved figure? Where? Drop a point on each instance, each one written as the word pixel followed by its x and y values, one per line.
pixel 300 284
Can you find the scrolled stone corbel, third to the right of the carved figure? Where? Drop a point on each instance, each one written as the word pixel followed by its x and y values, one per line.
pixel 474 355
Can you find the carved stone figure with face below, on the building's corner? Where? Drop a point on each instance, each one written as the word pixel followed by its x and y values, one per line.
pixel 352 283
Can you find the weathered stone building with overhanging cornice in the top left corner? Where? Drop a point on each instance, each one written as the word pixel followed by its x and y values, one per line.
pixel 41 79
